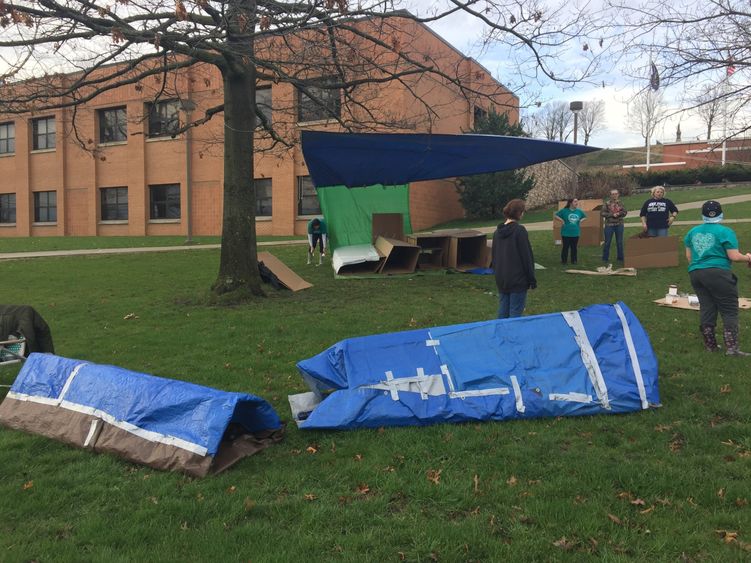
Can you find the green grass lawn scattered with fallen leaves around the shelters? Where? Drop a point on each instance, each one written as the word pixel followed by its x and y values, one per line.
pixel 663 485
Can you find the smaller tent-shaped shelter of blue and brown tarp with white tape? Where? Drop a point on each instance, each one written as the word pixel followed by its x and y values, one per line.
pixel 163 423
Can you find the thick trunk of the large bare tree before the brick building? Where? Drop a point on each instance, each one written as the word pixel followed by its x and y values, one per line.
pixel 238 266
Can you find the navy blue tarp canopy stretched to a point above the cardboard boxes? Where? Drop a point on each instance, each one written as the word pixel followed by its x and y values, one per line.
pixel 364 159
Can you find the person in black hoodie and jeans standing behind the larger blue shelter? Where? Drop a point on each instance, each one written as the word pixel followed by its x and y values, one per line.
pixel 513 262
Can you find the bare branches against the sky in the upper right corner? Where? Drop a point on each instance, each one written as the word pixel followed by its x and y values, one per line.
pixel 694 44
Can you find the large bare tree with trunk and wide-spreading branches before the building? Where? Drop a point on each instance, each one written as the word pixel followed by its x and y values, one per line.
pixel 60 54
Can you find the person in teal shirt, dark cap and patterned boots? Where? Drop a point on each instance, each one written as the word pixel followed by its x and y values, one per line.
pixel 710 249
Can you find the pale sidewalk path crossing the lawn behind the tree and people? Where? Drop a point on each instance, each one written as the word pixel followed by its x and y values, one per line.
pixel 540 226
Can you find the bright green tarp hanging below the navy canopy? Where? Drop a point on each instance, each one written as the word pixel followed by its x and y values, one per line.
pixel 348 212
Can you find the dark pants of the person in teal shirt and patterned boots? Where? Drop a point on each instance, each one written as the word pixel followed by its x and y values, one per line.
pixel 717 290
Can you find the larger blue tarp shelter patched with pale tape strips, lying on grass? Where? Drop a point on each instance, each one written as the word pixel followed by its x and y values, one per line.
pixel 597 360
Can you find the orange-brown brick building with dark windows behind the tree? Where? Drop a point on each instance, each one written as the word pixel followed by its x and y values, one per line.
pixel 112 167
